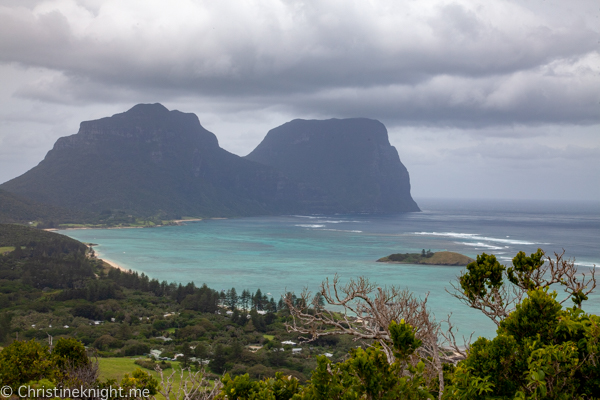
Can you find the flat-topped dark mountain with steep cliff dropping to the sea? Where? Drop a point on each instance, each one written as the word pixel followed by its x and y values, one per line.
pixel 345 165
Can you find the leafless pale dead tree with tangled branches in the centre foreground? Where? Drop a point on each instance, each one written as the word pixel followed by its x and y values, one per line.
pixel 365 312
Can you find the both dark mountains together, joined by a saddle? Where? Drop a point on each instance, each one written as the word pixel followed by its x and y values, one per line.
pixel 150 161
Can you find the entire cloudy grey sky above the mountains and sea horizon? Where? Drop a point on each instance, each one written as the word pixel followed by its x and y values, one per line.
pixel 482 99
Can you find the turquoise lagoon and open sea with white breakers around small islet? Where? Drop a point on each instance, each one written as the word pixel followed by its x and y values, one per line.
pixel 289 253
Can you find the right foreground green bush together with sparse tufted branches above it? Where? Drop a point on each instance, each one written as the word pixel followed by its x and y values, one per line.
pixel 542 350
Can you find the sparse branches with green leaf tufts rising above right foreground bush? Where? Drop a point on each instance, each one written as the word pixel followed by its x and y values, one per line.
pixel 495 290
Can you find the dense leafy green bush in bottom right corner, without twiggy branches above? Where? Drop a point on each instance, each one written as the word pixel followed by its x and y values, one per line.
pixel 542 351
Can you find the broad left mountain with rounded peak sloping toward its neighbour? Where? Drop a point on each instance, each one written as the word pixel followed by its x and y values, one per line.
pixel 150 161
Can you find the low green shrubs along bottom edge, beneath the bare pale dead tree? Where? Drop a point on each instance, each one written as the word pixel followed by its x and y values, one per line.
pixel 366 374
